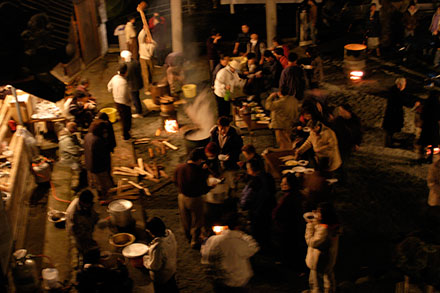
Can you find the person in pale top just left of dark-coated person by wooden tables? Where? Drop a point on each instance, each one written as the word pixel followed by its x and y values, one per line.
pixel 70 151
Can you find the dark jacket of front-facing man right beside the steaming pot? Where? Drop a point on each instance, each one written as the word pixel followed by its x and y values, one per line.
pixel 232 146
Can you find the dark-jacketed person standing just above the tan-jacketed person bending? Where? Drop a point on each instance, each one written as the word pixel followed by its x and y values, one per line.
pixel 292 78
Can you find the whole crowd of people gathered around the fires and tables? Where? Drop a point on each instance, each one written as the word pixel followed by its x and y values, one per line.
pixel 227 194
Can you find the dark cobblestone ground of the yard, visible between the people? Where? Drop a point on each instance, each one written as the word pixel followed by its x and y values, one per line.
pixel 383 200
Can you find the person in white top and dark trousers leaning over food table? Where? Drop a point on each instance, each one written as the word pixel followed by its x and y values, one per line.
pixel 226 83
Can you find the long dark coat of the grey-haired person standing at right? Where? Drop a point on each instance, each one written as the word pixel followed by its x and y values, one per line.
pixel 393 119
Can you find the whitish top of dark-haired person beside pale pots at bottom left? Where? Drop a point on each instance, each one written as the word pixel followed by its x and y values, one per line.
pixel 161 258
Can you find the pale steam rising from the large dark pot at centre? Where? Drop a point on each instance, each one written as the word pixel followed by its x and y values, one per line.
pixel 202 111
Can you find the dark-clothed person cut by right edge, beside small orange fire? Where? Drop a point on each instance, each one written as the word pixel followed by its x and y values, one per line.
pixel 430 119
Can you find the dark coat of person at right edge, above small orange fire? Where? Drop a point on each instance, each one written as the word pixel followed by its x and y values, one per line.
pixel 430 118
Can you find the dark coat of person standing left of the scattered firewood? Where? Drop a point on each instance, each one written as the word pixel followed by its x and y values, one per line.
pixel 96 154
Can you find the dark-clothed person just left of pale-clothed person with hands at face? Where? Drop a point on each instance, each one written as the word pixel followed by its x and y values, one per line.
pixel 289 224
